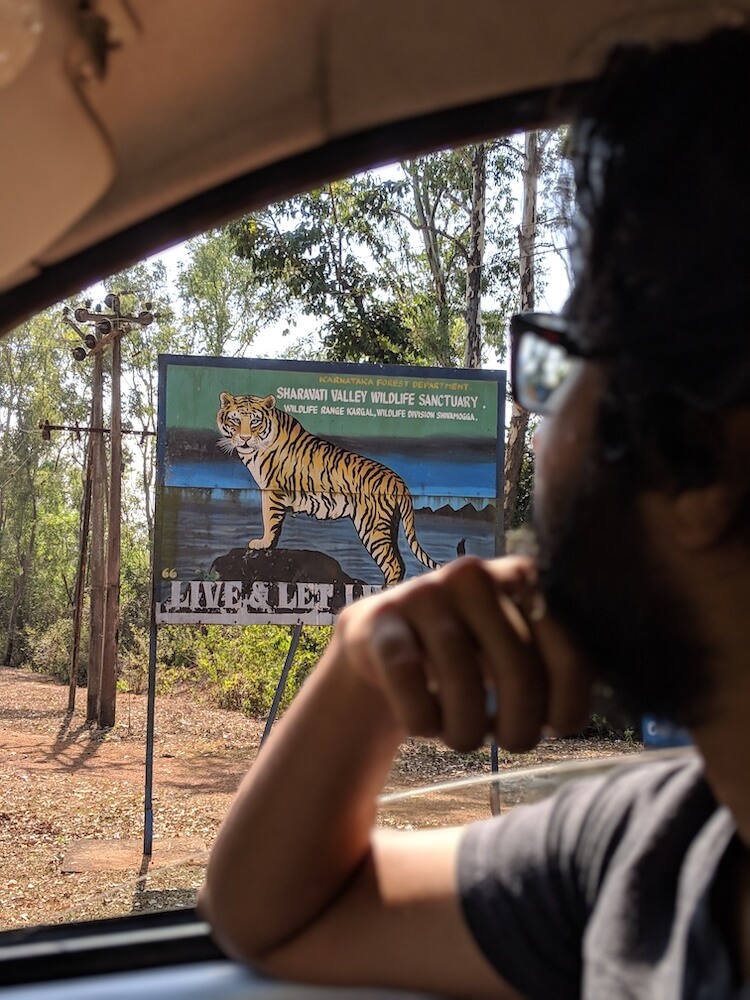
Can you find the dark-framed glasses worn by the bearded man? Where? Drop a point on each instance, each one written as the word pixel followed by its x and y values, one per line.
pixel 543 357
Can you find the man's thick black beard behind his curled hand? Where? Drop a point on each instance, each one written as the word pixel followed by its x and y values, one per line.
pixel 607 586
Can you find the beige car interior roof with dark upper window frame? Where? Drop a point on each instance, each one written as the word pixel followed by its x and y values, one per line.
pixel 136 124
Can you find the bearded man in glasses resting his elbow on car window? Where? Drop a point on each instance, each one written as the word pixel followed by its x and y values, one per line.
pixel 637 883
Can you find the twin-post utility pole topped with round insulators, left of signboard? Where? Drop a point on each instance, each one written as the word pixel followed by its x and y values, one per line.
pixel 105 574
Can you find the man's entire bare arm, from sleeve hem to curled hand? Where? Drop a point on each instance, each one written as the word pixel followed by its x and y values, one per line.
pixel 291 876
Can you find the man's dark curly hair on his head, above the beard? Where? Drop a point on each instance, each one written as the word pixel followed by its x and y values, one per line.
pixel 661 154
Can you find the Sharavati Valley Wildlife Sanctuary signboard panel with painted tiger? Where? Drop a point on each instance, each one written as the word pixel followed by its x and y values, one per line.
pixel 286 490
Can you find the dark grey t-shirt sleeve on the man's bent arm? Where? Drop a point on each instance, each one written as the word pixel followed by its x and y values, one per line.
pixel 529 879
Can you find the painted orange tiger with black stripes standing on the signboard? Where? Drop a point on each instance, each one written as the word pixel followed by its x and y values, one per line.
pixel 297 471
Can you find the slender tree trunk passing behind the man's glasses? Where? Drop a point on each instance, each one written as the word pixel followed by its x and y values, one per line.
pixel 519 420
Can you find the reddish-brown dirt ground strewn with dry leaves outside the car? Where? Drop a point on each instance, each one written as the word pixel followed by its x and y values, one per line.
pixel 72 798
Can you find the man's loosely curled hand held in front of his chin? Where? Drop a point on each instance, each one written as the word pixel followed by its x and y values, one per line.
pixel 467 652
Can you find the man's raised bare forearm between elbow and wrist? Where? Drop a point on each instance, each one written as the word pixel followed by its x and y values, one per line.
pixel 300 826
